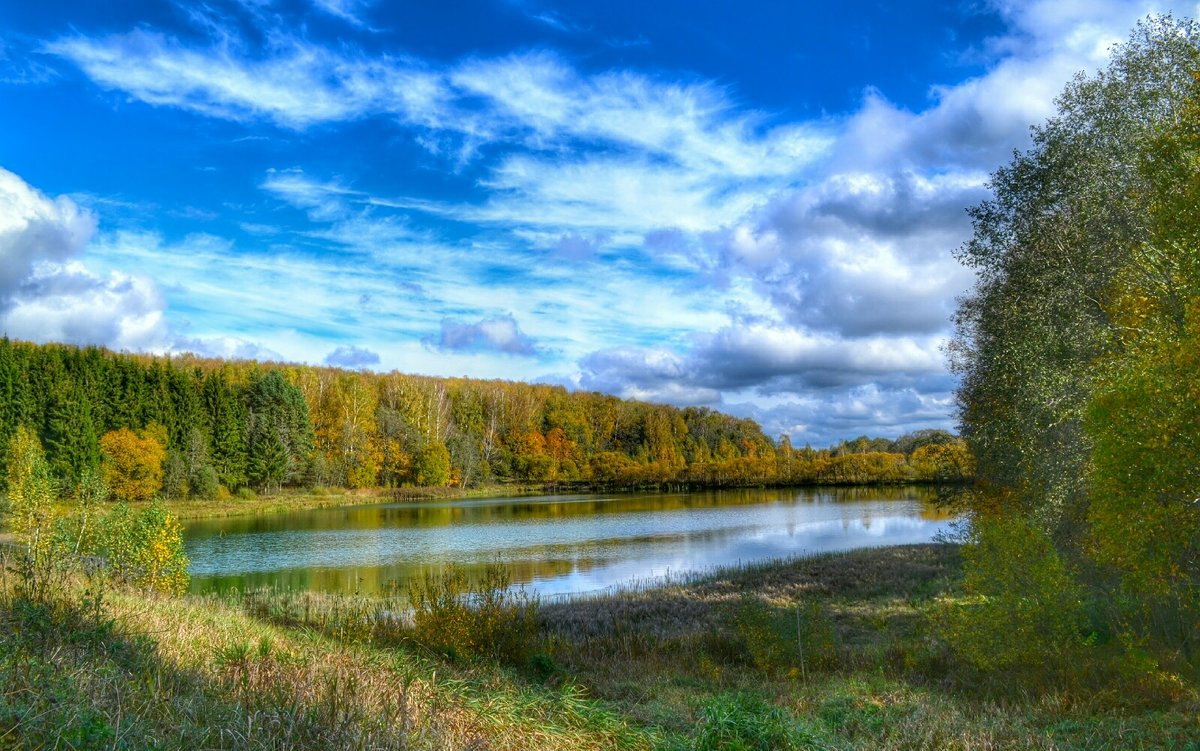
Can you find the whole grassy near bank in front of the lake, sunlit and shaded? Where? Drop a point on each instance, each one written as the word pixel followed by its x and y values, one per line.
pixel 715 662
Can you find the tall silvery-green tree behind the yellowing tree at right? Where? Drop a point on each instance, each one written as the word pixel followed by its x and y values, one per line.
pixel 1047 250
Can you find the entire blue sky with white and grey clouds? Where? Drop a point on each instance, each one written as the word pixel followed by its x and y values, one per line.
pixel 749 206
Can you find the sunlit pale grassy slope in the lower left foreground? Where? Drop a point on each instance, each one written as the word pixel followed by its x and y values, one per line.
pixel 190 674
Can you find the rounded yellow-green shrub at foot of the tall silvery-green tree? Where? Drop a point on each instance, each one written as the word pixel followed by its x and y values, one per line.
pixel 1023 610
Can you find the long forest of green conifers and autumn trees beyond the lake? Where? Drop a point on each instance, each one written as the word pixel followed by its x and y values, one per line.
pixel 226 426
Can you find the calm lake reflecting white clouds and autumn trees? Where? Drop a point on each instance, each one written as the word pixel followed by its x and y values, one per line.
pixel 553 544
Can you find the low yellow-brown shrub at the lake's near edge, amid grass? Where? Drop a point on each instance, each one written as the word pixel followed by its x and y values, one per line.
pixel 487 620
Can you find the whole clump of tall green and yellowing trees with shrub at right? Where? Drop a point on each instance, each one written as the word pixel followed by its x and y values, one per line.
pixel 1078 352
